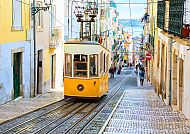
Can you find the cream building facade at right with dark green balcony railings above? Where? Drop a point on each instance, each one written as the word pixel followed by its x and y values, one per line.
pixel 171 55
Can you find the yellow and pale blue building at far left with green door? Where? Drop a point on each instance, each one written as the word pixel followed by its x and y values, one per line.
pixel 14 50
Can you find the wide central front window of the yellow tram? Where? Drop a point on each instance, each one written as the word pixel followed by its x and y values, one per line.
pixel 80 65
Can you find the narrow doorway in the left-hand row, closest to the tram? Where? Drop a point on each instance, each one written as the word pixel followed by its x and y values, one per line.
pixel 53 70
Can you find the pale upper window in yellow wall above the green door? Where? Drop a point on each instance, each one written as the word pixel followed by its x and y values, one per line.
pixel 17 15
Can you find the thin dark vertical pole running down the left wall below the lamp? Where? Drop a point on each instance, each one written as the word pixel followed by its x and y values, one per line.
pixel 34 34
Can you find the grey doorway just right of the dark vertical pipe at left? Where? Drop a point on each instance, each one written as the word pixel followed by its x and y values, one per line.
pixel 39 72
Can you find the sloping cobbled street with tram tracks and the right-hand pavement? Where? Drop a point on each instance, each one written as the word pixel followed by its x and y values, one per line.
pixel 133 109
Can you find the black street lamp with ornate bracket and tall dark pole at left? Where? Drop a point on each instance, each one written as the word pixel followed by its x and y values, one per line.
pixel 34 11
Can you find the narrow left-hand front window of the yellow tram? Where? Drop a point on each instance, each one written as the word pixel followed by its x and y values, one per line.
pixel 68 65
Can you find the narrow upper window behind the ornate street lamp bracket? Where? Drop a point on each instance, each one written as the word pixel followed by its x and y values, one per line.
pixel 39 15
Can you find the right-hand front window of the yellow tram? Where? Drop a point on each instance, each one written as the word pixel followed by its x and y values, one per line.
pixel 93 65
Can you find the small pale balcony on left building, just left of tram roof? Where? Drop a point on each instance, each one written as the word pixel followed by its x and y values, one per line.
pixel 56 37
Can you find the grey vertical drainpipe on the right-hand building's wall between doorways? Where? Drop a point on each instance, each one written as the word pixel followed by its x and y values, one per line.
pixel 170 70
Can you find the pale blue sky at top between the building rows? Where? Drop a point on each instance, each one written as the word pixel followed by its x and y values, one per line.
pixel 137 10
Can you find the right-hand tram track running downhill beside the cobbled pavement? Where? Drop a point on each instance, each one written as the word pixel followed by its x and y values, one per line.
pixel 89 113
